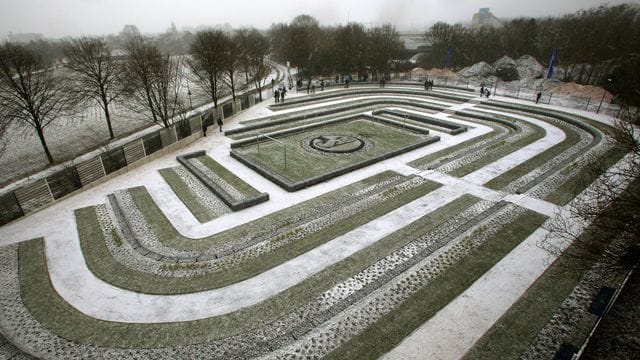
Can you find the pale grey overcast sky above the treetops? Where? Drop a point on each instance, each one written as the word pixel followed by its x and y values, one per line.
pixel 58 18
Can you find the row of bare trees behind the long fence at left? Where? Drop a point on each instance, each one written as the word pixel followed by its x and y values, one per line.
pixel 35 90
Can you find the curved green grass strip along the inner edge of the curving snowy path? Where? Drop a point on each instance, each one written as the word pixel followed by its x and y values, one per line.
pixel 99 259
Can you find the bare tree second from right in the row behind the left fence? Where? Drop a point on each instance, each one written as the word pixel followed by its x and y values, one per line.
pixel 206 63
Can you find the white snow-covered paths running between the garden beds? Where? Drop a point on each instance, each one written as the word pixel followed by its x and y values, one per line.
pixel 461 322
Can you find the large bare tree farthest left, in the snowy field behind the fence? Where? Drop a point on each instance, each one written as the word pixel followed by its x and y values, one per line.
pixel 30 93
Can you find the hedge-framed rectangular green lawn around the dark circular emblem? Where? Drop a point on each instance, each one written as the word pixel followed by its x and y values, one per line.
pixel 302 165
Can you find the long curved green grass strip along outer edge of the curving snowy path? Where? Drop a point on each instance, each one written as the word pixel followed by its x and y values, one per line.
pixel 53 312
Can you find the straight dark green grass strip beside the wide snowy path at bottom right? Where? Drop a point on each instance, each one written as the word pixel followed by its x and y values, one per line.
pixel 389 330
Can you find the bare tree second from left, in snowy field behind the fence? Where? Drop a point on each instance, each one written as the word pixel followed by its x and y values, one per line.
pixel 97 81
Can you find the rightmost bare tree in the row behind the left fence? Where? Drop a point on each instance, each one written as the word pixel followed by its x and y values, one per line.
pixel 254 48
